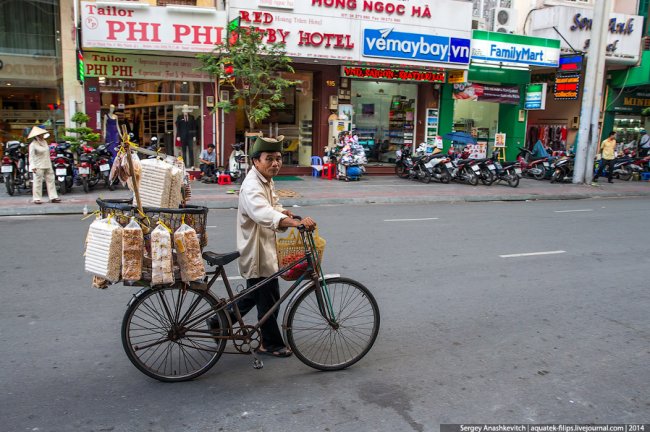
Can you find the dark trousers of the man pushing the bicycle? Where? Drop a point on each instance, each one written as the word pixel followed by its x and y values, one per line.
pixel 264 298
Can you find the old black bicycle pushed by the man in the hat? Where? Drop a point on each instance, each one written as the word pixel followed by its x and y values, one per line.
pixel 330 323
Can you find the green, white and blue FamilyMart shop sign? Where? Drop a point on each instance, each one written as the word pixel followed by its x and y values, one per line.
pixel 507 49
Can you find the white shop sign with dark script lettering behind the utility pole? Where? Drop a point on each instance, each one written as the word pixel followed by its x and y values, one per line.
pixel 624 32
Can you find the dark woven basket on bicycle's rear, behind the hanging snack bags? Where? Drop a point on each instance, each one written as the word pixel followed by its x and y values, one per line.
pixel 123 209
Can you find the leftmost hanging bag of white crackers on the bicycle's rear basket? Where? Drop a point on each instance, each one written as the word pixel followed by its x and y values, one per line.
pixel 104 249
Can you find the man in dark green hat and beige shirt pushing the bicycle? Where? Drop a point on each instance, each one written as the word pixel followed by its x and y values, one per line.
pixel 259 217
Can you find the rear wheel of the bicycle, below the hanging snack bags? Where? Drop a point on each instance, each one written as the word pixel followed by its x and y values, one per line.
pixel 165 334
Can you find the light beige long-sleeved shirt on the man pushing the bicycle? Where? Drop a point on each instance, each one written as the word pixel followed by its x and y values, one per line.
pixel 258 219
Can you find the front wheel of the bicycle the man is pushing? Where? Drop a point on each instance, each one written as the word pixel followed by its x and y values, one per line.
pixel 323 346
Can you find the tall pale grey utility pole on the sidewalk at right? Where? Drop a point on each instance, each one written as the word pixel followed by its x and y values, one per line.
pixel 592 90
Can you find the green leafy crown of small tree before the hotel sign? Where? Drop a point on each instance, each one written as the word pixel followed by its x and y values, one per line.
pixel 255 77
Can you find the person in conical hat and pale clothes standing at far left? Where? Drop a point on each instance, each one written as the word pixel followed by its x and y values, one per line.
pixel 41 165
